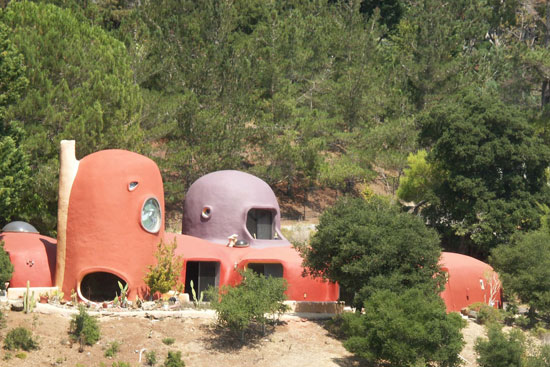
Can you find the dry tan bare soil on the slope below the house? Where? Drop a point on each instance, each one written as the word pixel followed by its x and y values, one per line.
pixel 294 342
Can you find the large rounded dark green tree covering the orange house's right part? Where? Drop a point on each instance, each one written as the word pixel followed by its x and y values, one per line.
pixel 371 245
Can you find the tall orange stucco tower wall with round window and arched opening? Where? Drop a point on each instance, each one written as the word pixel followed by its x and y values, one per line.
pixel 104 230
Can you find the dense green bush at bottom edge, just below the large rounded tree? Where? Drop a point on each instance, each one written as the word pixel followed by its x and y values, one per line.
pixel 407 329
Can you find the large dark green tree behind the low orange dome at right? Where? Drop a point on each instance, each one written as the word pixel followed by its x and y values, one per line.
pixel 494 171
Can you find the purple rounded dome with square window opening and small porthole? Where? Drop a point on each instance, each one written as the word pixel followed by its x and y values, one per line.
pixel 225 203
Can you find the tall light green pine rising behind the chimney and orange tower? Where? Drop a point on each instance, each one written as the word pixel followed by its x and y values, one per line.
pixel 81 87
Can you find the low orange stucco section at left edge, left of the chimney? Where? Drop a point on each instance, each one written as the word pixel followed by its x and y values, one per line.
pixel 33 258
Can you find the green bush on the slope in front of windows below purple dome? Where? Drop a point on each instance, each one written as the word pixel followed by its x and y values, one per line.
pixel 252 301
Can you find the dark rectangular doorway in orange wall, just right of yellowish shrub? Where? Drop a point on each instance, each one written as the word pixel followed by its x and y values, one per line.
pixel 203 274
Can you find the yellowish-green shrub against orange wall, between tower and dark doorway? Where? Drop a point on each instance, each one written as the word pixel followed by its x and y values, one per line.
pixel 165 274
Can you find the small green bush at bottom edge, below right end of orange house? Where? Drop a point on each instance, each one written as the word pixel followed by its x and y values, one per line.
pixel 500 349
